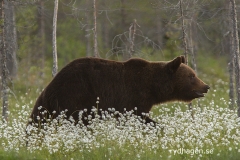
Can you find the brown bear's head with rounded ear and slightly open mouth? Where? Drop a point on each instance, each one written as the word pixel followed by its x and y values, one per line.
pixel 186 85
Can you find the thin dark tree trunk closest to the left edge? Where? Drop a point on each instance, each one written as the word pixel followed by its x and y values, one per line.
pixel 4 73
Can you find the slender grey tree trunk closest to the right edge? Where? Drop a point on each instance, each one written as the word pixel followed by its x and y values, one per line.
pixel 236 53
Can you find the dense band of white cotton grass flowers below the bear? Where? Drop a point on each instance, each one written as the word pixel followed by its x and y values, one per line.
pixel 211 127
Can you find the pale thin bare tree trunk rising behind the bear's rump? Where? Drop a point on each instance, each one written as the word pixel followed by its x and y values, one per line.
pixel 55 62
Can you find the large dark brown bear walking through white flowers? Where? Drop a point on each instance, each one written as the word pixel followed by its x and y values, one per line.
pixel 133 83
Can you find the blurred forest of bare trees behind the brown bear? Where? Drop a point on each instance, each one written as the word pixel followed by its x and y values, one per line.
pixel 154 30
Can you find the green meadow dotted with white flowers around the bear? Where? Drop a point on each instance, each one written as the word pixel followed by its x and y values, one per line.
pixel 209 131
